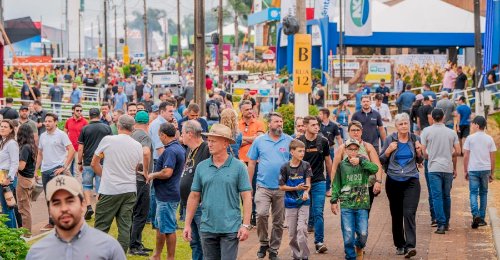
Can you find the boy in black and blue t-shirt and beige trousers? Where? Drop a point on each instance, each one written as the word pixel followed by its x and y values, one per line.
pixel 295 180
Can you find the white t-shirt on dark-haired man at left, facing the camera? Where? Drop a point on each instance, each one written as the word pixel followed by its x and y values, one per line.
pixel 53 148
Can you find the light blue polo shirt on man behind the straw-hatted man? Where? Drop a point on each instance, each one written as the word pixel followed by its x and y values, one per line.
pixel 271 155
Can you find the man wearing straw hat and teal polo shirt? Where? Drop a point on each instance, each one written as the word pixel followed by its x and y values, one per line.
pixel 219 187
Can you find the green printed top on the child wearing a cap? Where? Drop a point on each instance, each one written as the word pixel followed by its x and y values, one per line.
pixel 351 183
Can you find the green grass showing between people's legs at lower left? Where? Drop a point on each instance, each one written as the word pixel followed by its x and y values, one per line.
pixel 182 251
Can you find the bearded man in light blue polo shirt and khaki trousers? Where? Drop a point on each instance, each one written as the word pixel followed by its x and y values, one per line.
pixel 272 151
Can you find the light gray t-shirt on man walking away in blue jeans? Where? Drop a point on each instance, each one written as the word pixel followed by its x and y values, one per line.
pixel 439 141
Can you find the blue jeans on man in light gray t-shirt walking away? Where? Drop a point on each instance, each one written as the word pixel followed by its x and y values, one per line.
pixel 441 183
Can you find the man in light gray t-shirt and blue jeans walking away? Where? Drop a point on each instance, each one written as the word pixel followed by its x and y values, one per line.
pixel 440 146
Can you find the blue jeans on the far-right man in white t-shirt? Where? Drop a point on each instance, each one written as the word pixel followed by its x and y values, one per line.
pixel 478 186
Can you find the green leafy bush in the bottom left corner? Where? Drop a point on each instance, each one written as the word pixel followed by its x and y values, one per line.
pixel 12 246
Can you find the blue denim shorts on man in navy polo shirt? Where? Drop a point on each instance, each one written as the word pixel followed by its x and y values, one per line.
pixel 166 220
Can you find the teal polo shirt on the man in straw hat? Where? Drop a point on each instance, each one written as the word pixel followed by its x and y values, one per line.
pixel 220 190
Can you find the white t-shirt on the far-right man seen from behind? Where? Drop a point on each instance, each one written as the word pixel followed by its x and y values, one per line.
pixel 480 146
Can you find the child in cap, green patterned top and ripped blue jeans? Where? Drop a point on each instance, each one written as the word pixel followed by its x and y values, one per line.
pixel 350 186
